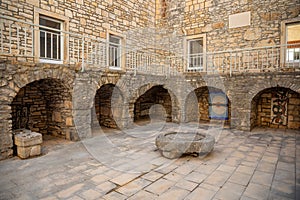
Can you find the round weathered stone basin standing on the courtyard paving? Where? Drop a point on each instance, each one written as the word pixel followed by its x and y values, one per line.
pixel 174 144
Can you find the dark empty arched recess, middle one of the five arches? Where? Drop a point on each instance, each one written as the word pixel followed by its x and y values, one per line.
pixel 156 103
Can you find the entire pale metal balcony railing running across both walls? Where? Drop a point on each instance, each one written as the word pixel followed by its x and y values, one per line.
pixel 17 40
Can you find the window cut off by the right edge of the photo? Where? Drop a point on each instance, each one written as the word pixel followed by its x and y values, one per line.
pixel 293 42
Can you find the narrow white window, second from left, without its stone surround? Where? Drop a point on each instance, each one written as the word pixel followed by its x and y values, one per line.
pixel 114 51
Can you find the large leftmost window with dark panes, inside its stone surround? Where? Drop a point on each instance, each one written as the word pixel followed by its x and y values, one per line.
pixel 51 40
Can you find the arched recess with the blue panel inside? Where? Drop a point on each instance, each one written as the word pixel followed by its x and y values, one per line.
pixel 208 105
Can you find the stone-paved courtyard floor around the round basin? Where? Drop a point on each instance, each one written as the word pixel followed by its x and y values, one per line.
pixel 263 164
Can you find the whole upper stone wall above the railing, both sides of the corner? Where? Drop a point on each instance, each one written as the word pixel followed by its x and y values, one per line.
pixel 163 24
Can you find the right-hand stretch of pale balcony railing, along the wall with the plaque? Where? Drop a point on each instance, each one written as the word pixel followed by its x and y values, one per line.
pixel 260 59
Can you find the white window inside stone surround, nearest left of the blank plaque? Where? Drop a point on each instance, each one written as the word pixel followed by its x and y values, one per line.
pixel 195 54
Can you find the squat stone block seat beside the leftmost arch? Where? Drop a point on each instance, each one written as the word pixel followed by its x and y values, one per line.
pixel 28 143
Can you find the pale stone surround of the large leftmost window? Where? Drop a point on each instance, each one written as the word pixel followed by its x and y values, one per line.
pixel 64 54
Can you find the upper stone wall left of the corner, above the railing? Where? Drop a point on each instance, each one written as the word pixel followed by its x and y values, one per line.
pixel 88 17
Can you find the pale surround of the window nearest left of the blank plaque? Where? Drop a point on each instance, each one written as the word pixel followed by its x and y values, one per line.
pixel 189 39
